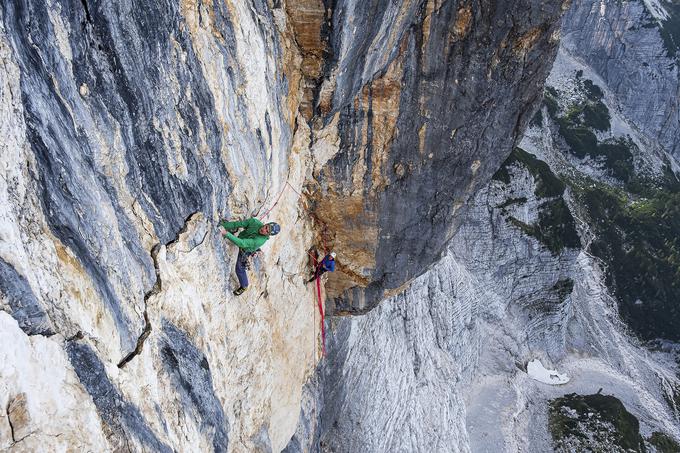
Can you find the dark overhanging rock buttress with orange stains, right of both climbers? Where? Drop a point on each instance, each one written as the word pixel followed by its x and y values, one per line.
pixel 419 95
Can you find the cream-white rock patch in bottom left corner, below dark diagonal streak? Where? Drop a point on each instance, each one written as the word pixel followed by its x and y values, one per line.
pixel 41 400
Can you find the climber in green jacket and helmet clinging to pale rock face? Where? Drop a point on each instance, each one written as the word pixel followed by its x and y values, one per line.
pixel 249 241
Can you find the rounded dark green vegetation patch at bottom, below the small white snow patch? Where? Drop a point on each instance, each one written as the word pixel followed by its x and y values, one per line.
pixel 596 422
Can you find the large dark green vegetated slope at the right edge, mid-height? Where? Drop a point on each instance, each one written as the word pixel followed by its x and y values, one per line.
pixel 639 240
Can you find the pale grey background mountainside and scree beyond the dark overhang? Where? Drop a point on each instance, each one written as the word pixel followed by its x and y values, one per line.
pixel 520 280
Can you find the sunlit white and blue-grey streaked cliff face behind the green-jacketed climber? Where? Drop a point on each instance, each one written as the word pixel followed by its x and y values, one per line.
pixel 128 129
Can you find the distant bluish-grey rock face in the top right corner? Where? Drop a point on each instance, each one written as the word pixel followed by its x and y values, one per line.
pixel 623 44
